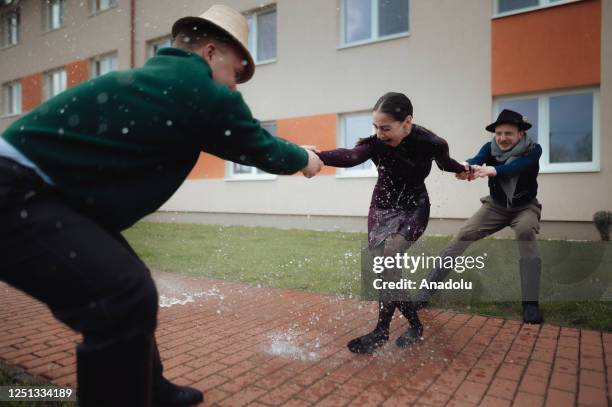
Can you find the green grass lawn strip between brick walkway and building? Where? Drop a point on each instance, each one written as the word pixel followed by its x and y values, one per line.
pixel 576 276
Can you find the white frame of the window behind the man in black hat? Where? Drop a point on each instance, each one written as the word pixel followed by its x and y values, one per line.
pixel 543 99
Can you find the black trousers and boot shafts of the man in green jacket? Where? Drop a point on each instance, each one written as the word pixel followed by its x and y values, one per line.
pixel 90 279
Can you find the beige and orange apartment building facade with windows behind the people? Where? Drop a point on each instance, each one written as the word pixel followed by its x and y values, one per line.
pixel 321 66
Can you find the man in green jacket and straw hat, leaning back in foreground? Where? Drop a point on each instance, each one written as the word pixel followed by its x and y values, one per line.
pixel 92 161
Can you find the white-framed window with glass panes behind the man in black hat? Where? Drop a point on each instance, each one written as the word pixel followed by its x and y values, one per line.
pixel 566 125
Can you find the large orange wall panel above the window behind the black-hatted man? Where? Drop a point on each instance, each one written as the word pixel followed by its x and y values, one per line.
pixel 552 48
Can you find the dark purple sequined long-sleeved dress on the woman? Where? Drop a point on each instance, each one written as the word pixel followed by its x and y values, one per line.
pixel 400 203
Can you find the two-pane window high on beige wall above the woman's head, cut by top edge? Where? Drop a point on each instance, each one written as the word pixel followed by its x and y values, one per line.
pixel 369 20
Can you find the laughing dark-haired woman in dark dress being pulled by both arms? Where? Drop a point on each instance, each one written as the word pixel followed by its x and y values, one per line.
pixel 399 210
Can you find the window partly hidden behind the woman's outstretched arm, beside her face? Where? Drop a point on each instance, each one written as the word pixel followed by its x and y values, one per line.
pixel 354 126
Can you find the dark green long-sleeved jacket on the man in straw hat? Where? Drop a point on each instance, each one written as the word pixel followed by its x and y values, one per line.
pixel 118 146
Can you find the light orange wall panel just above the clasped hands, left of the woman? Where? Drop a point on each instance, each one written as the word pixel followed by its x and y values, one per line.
pixel 319 131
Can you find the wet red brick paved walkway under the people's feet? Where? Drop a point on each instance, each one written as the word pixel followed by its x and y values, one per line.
pixel 246 345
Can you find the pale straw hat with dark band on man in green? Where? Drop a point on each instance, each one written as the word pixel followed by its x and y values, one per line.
pixel 229 21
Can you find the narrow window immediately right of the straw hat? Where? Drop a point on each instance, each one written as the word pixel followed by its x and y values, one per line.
pixel 262 35
